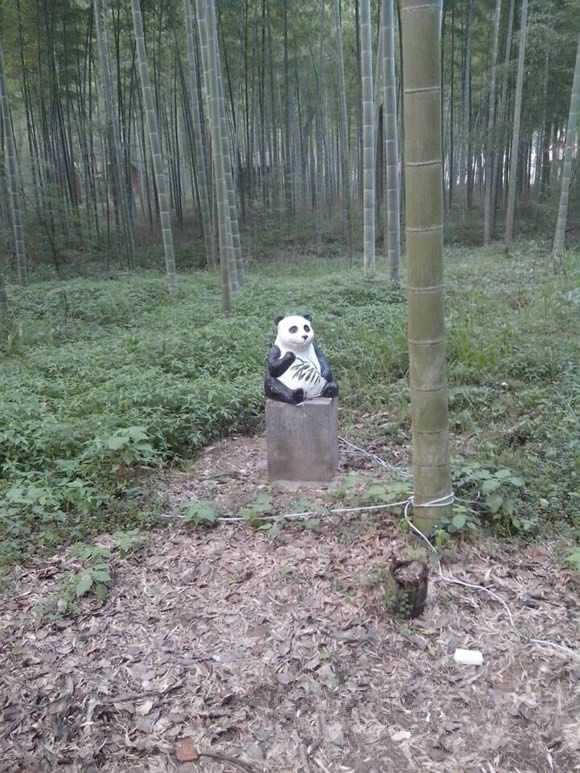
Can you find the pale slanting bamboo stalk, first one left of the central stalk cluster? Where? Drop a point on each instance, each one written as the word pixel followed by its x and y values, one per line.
pixel 155 141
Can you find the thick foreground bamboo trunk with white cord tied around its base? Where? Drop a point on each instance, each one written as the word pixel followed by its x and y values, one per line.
pixel 426 322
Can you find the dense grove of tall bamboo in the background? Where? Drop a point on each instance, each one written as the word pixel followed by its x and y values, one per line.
pixel 130 123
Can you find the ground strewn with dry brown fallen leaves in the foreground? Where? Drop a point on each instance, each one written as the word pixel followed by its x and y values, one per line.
pixel 231 649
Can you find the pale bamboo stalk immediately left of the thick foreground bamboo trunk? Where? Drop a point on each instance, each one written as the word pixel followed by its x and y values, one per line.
pixel 392 197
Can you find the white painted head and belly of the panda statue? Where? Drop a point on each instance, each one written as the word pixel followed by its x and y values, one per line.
pixel 304 373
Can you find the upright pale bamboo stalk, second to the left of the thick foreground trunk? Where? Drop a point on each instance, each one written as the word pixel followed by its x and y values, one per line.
pixel 368 138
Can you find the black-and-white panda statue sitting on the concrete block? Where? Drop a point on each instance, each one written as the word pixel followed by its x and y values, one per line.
pixel 297 369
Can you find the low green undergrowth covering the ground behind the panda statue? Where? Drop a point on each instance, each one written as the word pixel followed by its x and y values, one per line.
pixel 104 382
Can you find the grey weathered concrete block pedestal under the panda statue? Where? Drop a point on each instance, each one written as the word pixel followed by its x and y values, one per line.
pixel 302 440
